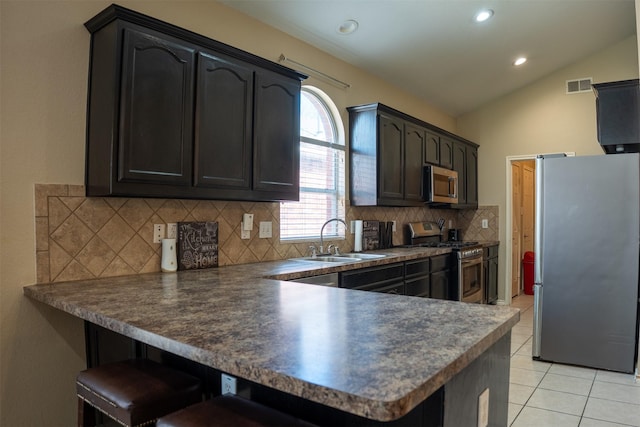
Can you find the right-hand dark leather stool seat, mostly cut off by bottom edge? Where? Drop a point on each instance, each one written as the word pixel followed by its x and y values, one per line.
pixel 230 411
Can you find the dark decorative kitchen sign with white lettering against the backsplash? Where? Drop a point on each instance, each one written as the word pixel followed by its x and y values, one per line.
pixel 197 245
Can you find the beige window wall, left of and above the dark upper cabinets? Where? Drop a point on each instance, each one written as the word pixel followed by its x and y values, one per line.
pixel 44 48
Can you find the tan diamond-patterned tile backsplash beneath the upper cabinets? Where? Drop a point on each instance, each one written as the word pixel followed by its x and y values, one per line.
pixel 80 237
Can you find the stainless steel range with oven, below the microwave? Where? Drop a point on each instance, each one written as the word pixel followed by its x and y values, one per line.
pixel 467 278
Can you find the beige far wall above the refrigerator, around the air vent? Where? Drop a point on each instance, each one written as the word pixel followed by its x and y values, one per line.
pixel 541 118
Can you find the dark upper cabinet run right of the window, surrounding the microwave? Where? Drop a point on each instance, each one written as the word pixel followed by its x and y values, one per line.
pixel 388 152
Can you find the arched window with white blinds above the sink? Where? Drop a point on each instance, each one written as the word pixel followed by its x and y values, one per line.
pixel 322 166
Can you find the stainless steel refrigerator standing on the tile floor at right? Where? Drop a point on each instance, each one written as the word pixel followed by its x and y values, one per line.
pixel 586 260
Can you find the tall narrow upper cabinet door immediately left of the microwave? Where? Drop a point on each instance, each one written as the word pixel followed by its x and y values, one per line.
pixel 414 143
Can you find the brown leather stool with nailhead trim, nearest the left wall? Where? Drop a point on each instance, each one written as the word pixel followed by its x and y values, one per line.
pixel 134 392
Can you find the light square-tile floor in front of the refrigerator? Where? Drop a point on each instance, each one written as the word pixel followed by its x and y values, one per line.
pixel 552 395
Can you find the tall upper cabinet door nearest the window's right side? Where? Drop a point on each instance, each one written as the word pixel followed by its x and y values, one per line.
pixel 390 158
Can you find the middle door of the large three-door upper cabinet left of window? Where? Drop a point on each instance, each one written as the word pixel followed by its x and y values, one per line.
pixel 224 115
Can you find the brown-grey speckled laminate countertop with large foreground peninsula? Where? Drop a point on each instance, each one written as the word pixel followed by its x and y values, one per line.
pixel 370 354
